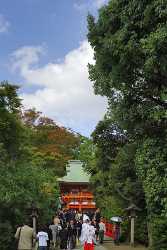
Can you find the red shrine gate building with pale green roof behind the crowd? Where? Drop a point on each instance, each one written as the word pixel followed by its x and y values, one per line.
pixel 75 188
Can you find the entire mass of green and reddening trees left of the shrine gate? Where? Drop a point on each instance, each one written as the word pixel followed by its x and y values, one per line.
pixel 34 151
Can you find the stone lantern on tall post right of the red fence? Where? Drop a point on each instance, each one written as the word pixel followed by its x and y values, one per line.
pixel 131 210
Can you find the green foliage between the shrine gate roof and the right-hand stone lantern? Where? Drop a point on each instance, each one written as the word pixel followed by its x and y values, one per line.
pixel 110 160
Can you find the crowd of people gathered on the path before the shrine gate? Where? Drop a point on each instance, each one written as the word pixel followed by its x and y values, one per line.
pixel 67 229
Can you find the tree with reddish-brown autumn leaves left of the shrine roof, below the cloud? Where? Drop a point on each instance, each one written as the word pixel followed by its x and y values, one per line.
pixel 55 143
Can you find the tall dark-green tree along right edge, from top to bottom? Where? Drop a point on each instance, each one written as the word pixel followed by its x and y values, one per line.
pixel 130 51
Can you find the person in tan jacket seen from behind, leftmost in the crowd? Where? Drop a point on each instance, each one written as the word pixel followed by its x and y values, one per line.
pixel 25 236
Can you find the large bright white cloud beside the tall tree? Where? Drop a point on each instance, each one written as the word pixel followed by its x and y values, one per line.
pixel 64 92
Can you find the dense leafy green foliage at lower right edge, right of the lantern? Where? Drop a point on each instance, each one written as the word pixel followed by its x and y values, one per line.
pixel 152 167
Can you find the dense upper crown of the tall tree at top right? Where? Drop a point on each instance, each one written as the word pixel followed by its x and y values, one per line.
pixel 129 52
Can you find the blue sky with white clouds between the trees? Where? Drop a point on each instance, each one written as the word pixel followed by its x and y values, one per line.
pixel 44 50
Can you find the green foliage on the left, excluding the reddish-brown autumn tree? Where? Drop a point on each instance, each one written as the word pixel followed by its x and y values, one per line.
pixel 26 175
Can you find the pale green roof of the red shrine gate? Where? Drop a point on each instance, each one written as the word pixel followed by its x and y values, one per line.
pixel 75 173
